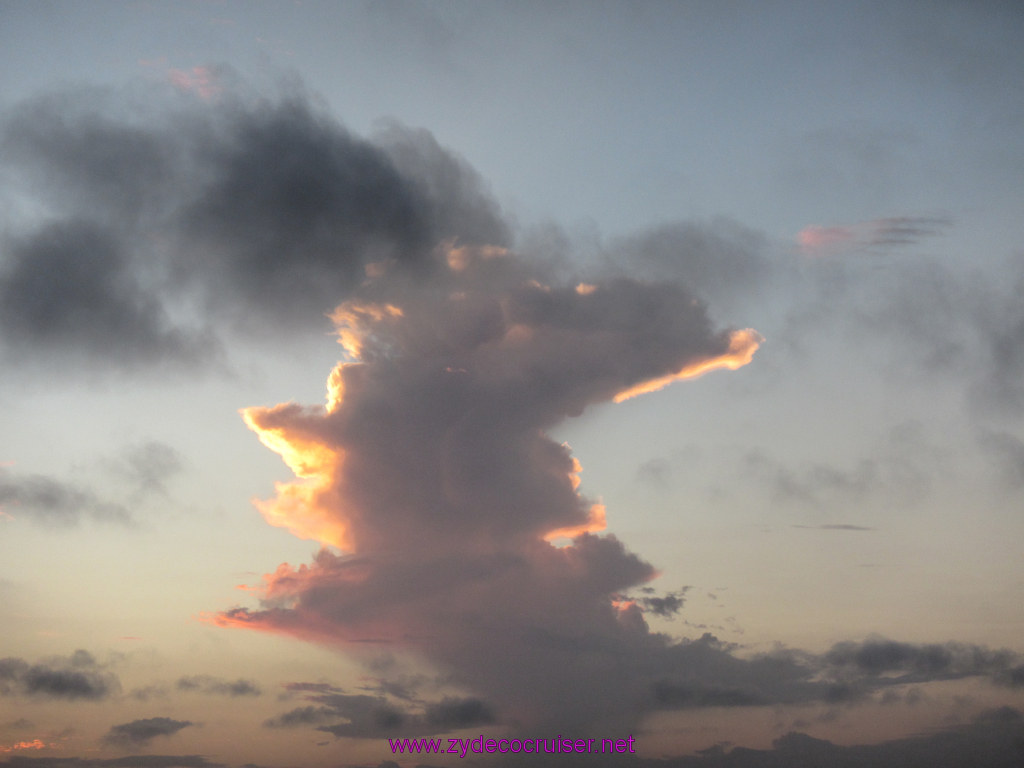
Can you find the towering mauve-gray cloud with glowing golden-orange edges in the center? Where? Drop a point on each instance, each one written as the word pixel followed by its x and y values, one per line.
pixel 432 468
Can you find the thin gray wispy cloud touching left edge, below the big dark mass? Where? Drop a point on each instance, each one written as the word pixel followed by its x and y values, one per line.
pixel 49 501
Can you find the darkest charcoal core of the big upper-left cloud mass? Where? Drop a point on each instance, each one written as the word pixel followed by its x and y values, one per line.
pixel 294 209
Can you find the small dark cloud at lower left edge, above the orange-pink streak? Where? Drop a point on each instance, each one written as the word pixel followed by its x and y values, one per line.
pixel 76 677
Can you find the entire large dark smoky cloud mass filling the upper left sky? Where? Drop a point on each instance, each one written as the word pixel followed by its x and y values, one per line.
pixel 165 219
